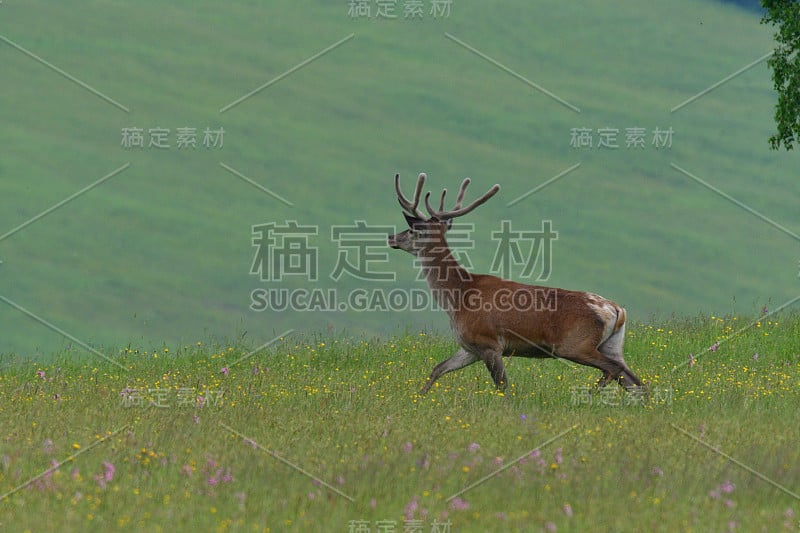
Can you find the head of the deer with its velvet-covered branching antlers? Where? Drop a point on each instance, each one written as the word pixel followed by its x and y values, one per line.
pixel 425 234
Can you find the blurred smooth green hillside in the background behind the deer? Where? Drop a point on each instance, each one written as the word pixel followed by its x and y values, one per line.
pixel 162 251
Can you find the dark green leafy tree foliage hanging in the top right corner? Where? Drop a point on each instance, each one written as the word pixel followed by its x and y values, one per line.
pixel 785 65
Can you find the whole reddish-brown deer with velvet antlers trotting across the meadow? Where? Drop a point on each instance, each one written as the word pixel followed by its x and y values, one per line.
pixel 492 317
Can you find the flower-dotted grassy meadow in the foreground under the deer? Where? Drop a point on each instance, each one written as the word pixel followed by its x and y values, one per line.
pixel 344 410
